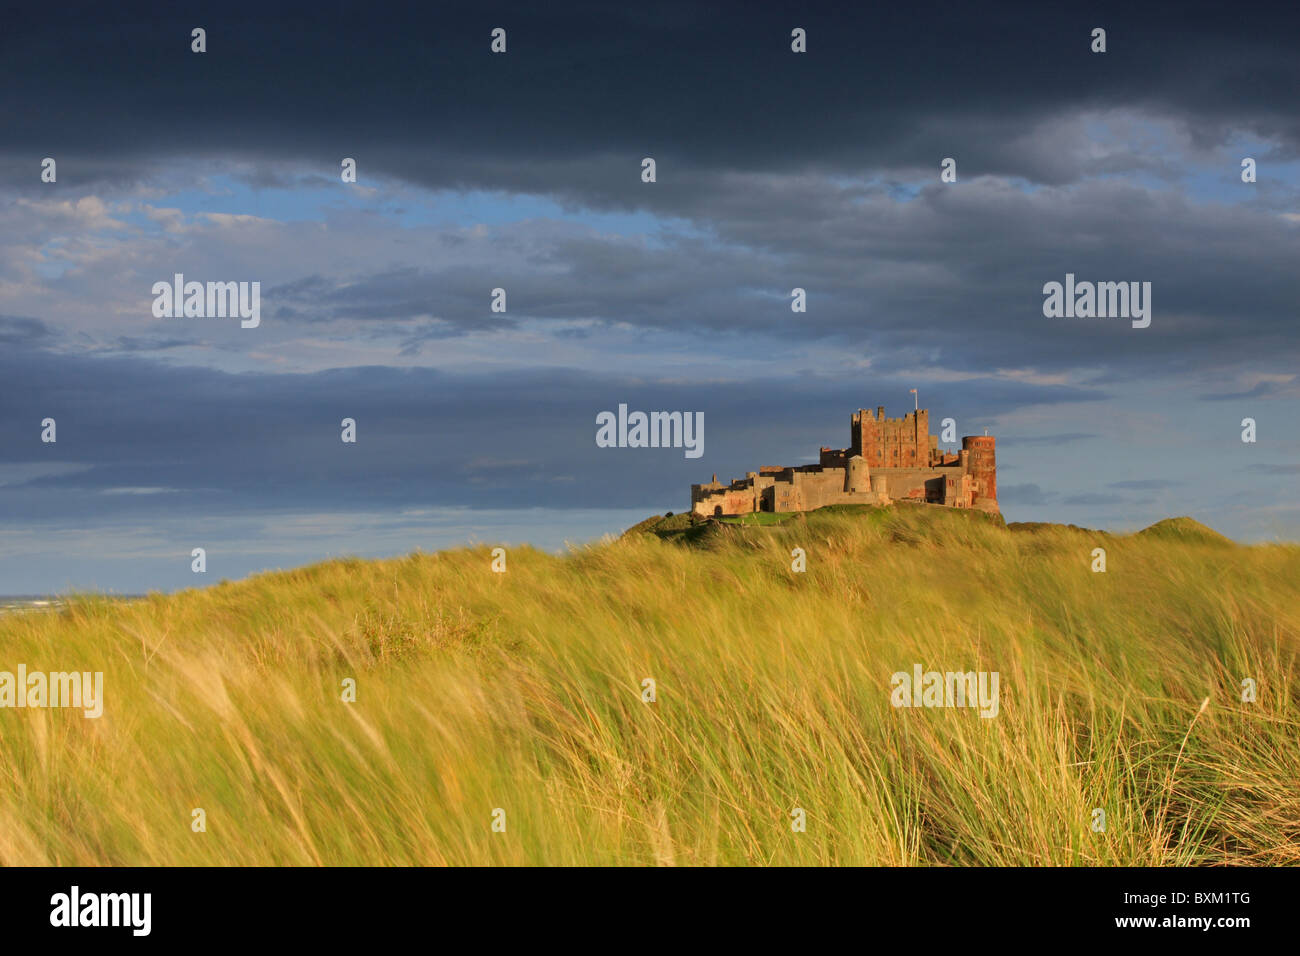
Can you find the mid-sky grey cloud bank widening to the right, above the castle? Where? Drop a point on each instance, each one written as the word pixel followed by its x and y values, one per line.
pixel 950 279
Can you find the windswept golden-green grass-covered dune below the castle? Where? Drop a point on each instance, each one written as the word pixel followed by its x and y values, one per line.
pixel 523 693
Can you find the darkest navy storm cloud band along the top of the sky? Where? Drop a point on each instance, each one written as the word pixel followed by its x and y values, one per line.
pixel 699 86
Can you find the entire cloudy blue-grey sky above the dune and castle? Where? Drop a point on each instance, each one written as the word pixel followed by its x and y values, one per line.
pixel 523 171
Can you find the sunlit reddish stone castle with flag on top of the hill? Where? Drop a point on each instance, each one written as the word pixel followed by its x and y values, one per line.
pixel 887 460
